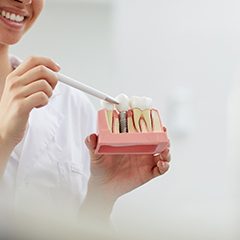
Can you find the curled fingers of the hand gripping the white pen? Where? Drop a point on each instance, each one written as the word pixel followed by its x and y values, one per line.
pixel 32 83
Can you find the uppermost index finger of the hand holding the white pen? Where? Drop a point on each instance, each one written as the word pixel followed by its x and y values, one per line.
pixel 33 62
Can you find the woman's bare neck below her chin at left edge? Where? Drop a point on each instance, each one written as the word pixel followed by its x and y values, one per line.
pixel 5 66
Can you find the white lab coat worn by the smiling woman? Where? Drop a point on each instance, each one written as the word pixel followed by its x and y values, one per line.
pixel 50 167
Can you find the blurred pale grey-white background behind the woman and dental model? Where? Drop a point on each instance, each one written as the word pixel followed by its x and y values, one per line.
pixel 186 56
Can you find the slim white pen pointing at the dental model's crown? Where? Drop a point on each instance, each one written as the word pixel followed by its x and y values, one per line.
pixel 85 88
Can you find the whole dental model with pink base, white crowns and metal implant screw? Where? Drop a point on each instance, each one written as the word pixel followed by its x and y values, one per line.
pixel 131 127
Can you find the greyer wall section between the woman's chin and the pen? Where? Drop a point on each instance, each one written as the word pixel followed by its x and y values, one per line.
pixel 78 35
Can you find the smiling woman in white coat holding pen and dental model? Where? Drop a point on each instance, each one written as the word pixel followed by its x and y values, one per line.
pixel 47 137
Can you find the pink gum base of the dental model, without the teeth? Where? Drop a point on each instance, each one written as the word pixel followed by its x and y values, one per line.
pixel 128 143
